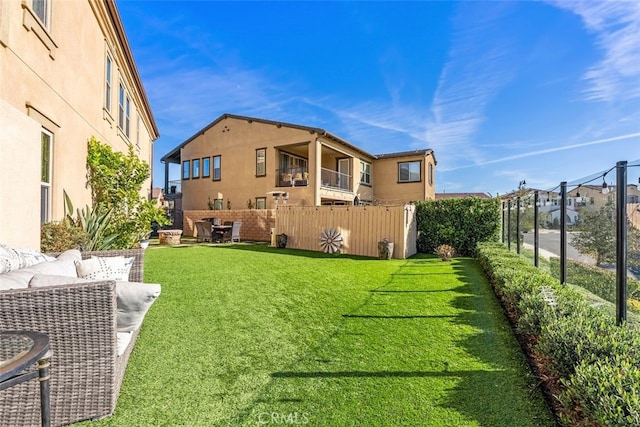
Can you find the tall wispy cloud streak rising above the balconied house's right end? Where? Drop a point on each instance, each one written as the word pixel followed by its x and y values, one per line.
pixel 475 72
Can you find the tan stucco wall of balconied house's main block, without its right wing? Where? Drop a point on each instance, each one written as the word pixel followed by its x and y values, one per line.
pixel 236 141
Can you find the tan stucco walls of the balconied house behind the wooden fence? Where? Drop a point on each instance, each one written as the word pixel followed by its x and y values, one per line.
pixel 236 139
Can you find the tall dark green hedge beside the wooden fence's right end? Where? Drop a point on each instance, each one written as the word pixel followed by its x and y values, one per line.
pixel 461 223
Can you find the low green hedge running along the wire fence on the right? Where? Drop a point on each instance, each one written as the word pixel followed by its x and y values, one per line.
pixel 597 362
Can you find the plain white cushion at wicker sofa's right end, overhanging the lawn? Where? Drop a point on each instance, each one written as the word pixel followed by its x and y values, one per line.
pixel 134 300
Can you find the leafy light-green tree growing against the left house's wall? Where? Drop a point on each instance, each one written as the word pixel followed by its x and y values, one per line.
pixel 115 180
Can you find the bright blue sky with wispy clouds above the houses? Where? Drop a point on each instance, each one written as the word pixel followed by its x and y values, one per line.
pixel 544 91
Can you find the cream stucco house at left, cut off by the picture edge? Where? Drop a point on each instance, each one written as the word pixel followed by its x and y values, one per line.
pixel 67 74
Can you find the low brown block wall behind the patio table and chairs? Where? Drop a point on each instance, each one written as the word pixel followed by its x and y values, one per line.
pixel 256 223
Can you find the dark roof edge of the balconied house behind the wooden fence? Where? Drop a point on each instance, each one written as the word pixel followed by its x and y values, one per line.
pixel 173 156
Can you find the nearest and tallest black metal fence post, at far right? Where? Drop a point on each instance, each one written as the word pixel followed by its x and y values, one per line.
pixel 621 242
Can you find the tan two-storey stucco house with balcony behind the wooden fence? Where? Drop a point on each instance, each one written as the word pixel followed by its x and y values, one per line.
pixel 239 162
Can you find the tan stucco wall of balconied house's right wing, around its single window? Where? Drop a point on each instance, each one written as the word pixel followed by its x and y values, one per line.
pixel 387 189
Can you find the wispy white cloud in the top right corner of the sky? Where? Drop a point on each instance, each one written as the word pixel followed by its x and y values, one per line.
pixel 616 25
